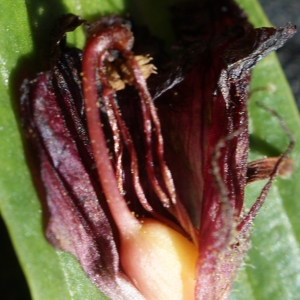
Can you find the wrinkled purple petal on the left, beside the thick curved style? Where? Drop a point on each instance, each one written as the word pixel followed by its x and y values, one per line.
pixel 79 218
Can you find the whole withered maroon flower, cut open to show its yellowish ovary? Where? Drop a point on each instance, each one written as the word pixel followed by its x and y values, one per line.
pixel 145 180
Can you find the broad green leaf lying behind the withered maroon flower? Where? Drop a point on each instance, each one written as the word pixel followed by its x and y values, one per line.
pixel 273 265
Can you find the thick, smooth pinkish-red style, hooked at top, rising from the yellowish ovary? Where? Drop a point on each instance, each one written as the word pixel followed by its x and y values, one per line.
pixel 117 37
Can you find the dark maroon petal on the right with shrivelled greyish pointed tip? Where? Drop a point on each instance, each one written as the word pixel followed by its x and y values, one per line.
pixel 204 122
